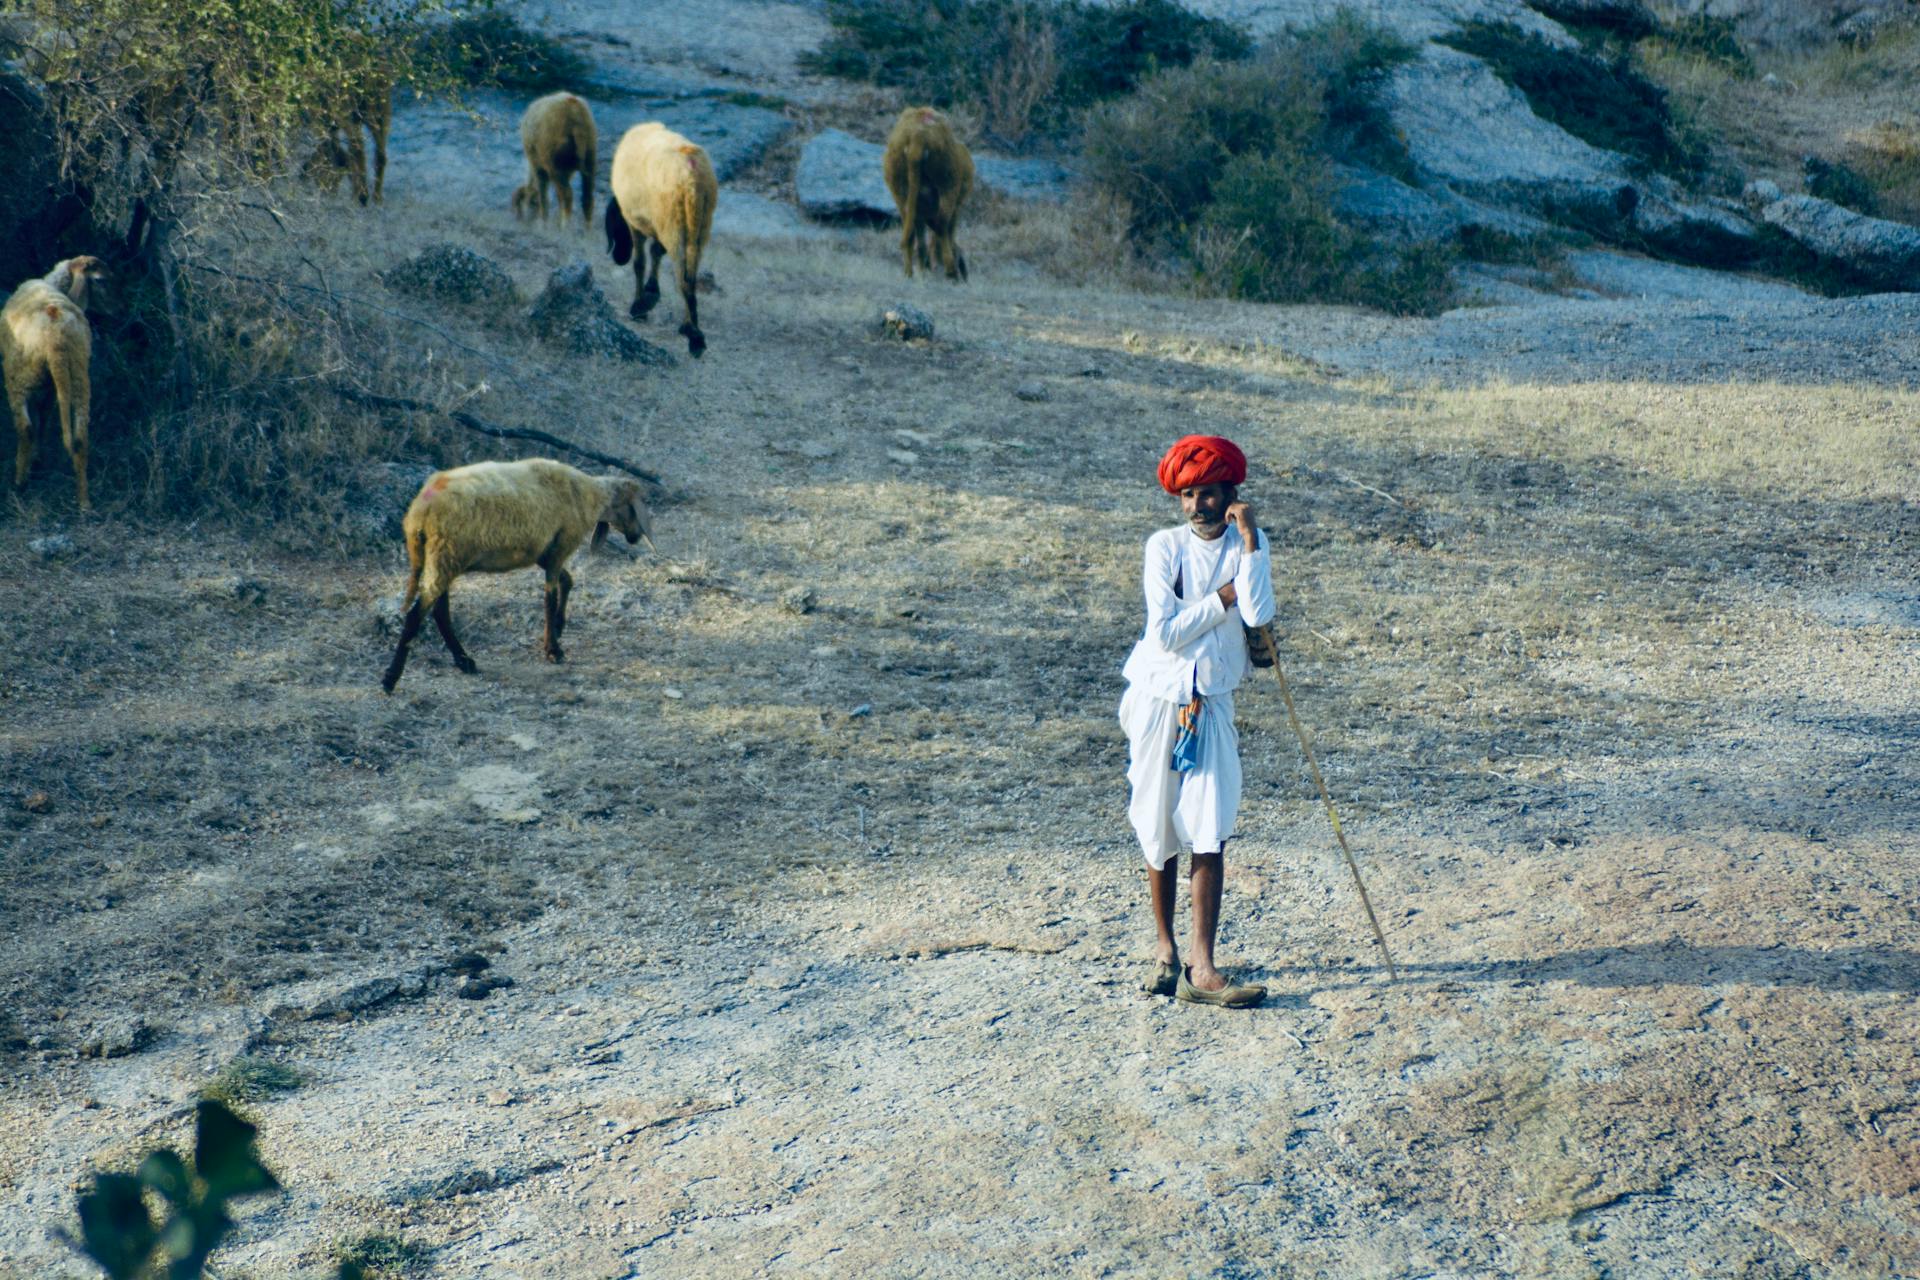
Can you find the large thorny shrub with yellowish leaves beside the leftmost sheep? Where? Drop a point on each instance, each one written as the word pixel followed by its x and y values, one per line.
pixel 166 122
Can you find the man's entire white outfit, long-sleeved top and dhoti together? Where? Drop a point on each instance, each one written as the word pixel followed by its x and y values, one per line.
pixel 1193 644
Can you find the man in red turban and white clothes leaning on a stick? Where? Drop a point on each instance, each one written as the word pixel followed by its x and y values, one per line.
pixel 1207 582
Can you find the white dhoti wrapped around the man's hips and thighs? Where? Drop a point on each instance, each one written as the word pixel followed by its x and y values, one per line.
pixel 1172 809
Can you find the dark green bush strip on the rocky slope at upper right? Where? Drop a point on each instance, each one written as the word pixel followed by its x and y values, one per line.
pixel 1600 99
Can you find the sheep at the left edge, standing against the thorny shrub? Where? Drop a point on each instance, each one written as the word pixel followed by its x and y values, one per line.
pixel 45 341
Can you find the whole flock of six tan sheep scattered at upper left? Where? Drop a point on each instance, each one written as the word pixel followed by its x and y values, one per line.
pixel 496 517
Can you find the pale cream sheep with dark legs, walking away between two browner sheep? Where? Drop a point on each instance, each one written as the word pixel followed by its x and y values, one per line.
pixel 663 197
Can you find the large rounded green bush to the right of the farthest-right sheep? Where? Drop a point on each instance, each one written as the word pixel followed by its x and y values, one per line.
pixel 1230 168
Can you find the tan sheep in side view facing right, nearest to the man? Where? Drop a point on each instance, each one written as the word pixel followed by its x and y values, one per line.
pixel 496 517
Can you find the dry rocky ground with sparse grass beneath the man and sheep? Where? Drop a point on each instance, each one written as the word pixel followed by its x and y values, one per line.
pixel 809 872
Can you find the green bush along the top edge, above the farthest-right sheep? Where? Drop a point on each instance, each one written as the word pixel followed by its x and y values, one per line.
pixel 1020 64
